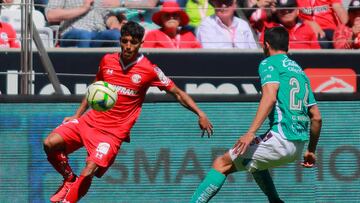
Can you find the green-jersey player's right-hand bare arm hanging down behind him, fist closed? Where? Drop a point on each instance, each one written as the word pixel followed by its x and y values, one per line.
pixel 315 128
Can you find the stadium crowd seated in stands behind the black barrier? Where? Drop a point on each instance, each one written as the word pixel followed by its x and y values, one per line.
pixel 238 24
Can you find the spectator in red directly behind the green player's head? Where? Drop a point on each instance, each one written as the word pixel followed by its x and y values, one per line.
pixel 301 36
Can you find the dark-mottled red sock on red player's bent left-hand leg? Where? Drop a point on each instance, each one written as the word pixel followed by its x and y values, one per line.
pixel 61 164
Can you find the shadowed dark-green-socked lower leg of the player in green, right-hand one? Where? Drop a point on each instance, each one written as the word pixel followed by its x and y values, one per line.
pixel 266 184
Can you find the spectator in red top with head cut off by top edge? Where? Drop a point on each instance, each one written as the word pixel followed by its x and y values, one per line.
pixel 323 16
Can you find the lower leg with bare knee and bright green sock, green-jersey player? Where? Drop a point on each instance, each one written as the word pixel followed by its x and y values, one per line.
pixel 214 180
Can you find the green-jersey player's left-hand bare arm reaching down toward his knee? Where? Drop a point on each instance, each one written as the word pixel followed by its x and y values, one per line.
pixel 268 100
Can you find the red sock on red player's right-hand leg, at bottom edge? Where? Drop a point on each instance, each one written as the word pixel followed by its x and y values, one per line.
pixel 78 189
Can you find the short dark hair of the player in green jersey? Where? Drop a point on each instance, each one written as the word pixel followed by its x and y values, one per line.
pixel 278 38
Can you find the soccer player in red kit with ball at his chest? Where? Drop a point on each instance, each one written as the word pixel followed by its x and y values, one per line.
pixel 102 133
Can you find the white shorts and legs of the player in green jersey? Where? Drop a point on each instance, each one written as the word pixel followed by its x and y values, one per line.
pixel 258 157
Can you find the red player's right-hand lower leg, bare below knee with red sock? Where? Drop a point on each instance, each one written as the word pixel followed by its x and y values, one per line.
pixel 82 184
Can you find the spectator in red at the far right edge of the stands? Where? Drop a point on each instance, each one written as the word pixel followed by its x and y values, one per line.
pixel 348 36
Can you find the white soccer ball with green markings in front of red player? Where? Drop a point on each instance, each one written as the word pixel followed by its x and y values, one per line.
pixel 101 96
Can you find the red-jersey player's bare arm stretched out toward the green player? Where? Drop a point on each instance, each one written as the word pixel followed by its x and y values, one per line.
pixel 188 102
